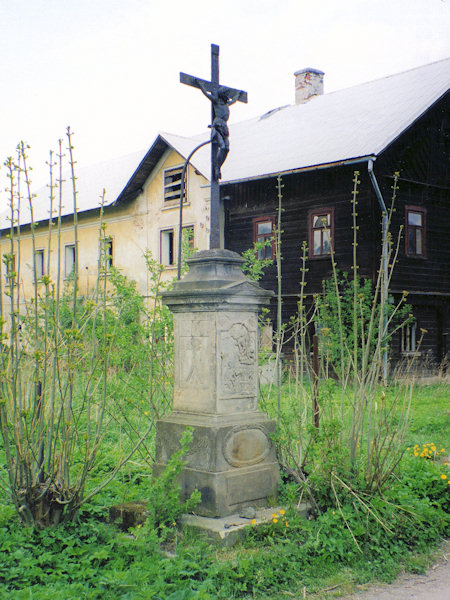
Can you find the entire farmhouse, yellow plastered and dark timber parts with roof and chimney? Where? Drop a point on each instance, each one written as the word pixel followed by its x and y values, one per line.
pixel 395 124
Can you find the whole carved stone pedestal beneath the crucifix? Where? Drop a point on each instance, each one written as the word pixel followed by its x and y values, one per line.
pixel 232 458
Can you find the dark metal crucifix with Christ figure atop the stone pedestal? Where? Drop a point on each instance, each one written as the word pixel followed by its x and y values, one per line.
pixel 221 98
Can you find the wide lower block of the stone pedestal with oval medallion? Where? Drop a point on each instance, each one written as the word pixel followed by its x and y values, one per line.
pixel 231 460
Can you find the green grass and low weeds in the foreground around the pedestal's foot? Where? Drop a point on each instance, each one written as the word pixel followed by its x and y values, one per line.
pixel 323 557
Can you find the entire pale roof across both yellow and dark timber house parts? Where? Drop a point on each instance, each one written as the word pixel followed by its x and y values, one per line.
pixel 357 122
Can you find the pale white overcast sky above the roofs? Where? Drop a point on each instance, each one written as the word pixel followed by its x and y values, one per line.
pixel 110 68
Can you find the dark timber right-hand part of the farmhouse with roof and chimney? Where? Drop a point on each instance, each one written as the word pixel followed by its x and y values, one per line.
pixel 396 124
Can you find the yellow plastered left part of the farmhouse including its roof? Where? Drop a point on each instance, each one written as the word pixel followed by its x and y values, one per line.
pixel 139 213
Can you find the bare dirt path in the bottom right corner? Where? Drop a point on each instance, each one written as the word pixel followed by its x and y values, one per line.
pixel 435 585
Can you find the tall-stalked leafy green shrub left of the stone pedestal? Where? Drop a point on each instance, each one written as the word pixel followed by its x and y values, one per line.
pixel 75 371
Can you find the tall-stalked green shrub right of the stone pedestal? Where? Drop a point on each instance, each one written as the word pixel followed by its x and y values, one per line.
pixel 362 425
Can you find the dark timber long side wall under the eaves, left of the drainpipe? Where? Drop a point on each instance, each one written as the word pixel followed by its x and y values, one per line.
pixel 302 193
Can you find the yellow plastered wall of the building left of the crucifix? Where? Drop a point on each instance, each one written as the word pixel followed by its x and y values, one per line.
pixel 134 228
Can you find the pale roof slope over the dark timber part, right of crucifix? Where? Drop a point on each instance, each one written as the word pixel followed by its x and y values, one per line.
pixel 347 124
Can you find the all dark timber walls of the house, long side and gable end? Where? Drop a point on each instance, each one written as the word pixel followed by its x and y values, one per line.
pixel 421 155
